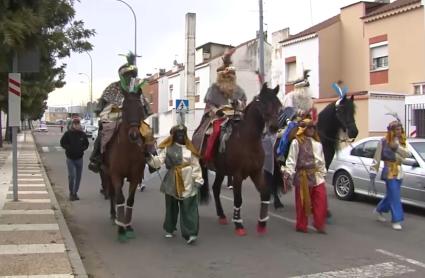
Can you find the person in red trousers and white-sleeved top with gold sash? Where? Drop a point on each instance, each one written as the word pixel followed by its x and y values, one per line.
pixel 305 168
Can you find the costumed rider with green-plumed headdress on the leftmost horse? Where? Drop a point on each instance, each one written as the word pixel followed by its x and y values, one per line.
pixel 109 110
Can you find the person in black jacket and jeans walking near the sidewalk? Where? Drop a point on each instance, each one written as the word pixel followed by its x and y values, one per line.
pixel 75 142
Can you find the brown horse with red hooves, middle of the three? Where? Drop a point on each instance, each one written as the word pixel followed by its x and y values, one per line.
pixel 244 157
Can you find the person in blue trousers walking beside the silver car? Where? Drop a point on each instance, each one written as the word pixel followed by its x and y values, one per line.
pixel 392 150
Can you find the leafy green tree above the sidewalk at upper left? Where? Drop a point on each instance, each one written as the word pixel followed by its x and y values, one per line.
pixel 50 26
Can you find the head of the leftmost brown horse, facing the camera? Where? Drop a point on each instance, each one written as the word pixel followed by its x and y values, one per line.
pixel 133 114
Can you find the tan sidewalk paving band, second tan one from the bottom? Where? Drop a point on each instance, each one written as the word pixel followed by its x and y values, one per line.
pixel 30 237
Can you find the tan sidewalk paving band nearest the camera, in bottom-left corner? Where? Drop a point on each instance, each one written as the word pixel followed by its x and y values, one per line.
pixel 34 264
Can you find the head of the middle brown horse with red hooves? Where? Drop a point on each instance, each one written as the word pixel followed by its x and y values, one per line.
pixel 270 105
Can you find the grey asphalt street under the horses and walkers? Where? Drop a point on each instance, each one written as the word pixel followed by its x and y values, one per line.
pixel 356 245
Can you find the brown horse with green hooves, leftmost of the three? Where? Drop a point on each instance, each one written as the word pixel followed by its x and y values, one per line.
pixel 125 159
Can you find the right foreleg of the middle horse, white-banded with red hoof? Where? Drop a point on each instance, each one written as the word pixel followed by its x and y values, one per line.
pixel 258 179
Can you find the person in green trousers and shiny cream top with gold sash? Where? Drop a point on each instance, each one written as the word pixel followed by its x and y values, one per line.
pixel 181 183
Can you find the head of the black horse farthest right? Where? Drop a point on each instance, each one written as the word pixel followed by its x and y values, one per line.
pixel 344 111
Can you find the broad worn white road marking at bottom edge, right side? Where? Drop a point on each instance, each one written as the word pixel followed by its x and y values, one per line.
pixel 377 270
